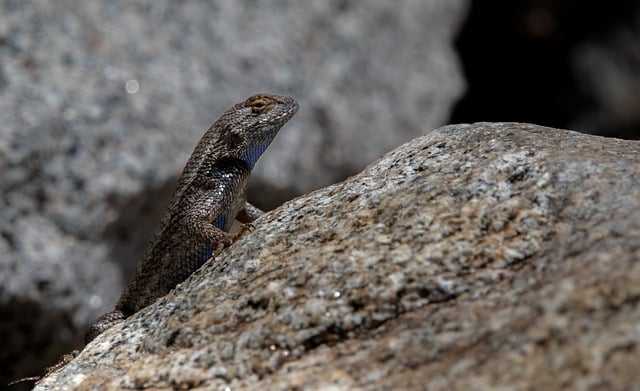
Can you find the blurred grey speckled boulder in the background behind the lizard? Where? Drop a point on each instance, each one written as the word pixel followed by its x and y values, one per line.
pixel 87 167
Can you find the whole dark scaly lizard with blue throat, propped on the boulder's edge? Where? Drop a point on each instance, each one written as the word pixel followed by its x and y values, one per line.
pixel 211 193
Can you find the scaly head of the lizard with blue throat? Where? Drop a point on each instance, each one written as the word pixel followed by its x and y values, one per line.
pixel 250 126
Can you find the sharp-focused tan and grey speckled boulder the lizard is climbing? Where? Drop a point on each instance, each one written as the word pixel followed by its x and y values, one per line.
pixel 485 256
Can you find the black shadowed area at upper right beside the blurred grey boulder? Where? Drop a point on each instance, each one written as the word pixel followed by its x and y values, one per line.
pixel 566 64
